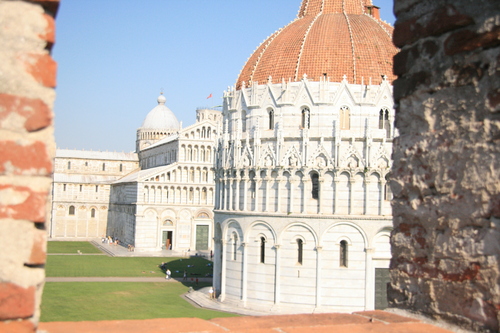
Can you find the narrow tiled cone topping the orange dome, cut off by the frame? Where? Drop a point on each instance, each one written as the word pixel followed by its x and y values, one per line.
pixel 314 7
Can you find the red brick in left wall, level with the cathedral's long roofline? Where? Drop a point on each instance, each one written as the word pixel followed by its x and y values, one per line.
pixel 28 159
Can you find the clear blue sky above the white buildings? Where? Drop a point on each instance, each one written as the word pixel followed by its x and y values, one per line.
pixel 115 57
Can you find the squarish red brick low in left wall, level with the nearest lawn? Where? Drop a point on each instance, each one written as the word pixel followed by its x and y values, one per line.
pixel 16 302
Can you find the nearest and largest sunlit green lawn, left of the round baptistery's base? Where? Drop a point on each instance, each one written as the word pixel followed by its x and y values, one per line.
pixel 91 301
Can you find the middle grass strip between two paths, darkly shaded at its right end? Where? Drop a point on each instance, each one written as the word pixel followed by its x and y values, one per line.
pixel 104 266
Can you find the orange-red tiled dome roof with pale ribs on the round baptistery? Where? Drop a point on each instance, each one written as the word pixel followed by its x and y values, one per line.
pixel 329 38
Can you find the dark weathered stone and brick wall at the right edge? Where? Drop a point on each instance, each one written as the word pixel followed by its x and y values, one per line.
pixel 446 207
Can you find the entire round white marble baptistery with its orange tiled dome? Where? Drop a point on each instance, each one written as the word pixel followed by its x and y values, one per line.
pixel 302 207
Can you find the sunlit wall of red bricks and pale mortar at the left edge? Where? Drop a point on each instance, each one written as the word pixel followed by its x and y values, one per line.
pixel 27 81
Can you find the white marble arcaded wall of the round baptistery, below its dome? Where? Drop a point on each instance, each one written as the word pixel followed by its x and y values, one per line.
pixel 302 210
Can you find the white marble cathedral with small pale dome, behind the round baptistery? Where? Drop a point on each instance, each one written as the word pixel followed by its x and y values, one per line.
pixel 160 197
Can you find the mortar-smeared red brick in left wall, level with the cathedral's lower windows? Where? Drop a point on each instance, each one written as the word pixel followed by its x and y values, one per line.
pixel 32 209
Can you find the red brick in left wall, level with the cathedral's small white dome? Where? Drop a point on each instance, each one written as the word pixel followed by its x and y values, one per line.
pixel 36 112
